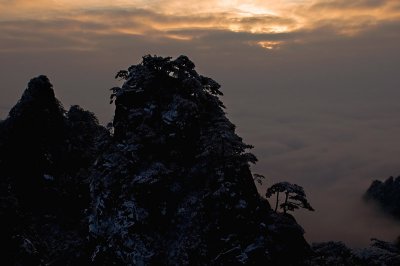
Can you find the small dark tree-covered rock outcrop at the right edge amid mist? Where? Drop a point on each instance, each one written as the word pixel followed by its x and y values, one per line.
pixel 386 194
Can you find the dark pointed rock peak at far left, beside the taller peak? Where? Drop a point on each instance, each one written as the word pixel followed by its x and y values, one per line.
pixel 45 154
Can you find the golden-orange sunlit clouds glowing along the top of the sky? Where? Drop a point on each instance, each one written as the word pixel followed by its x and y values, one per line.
pixel 166 19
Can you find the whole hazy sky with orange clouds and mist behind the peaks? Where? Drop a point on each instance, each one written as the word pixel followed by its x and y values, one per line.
pixel 314 85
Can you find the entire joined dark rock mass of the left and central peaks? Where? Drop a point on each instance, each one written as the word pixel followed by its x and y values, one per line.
pixel 170 185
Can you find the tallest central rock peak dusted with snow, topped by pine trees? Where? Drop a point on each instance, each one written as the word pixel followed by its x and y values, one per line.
pixel 174 187
